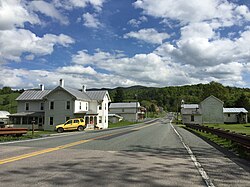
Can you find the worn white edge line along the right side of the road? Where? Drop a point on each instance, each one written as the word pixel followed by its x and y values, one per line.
pixel 198 165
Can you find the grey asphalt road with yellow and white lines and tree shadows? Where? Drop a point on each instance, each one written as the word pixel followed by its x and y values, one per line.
pixel 150 154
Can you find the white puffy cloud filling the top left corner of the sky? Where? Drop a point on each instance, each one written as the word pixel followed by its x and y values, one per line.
pixel 13 13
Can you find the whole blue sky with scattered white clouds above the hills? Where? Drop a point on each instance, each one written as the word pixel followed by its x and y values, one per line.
pixel 111 43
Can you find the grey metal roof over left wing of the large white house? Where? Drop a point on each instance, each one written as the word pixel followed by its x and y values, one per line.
pixel 32 95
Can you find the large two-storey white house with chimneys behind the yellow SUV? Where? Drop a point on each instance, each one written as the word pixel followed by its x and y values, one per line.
pixel 48 108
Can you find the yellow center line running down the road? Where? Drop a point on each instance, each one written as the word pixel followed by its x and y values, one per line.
pixel 32 154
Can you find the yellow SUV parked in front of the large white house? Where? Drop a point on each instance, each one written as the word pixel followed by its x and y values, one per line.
pixel 71 124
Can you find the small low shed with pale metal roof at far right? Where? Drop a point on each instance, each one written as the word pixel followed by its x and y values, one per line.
pixel 235 115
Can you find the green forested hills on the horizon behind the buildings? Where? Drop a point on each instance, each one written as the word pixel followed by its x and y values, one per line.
pixel 168 98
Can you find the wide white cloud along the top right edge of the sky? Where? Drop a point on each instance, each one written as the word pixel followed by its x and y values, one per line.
pixel 220 11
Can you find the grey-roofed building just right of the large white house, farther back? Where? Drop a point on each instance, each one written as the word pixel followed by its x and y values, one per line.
pixel 129 111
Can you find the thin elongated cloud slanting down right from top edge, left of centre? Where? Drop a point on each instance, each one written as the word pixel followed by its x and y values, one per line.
pixel 49 10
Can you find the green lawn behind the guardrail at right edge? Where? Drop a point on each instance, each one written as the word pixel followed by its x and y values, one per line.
pixel 238 128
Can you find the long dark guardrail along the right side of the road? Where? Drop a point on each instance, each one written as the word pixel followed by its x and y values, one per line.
pixel 242 140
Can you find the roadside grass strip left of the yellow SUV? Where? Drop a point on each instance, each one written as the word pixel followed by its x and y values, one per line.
pixel 37 134
